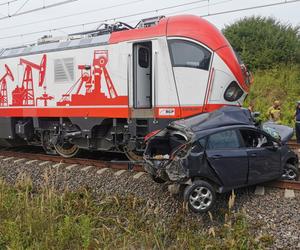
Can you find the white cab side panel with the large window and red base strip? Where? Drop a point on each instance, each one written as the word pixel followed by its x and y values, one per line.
pixel 191 62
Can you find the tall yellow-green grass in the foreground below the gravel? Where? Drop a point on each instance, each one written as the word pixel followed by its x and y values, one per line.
pixel 46 219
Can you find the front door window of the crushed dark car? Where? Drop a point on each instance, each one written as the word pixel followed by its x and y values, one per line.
pixel 255 139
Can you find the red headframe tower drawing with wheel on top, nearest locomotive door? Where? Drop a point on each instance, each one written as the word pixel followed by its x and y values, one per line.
pixel 90 79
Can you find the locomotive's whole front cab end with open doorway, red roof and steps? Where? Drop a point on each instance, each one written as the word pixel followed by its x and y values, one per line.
pixel 178 67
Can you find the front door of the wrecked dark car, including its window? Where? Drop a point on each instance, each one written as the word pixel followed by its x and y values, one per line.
pixel 264 158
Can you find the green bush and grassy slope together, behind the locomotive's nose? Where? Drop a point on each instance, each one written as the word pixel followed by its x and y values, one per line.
pixel 271 50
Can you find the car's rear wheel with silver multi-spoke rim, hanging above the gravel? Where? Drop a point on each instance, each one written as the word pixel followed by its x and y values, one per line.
pixel 200 196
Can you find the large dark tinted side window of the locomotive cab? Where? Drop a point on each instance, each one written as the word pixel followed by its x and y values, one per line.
pixel 189 54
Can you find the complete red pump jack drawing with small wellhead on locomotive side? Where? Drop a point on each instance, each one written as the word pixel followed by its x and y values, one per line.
pixel 24 95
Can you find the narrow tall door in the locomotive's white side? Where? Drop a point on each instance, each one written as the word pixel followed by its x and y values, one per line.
pixel 142 76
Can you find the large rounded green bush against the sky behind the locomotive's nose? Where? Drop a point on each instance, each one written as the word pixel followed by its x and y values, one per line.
pixel 264 42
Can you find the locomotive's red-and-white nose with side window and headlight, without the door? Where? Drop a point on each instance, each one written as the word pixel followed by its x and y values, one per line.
pixel 207 71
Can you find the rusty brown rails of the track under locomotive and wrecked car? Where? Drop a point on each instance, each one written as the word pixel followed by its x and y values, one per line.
pixel 118 163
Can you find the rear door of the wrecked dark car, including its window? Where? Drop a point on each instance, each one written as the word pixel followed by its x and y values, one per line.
pixel 227 157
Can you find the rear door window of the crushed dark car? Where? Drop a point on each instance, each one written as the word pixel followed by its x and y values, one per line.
pixel 223 140
